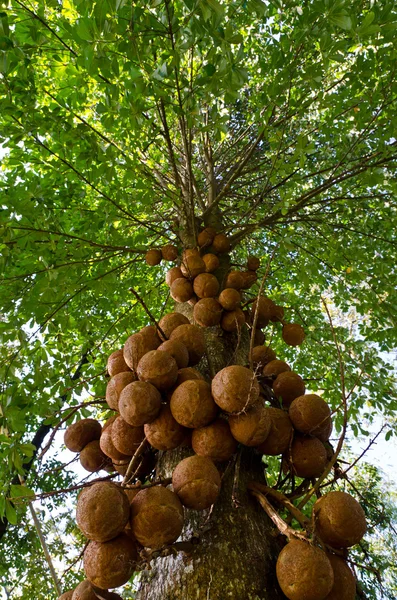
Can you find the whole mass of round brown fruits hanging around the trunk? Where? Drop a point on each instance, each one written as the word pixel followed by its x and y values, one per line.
pixel 159 396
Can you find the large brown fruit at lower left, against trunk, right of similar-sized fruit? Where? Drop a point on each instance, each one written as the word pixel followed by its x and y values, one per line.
pixel 156 517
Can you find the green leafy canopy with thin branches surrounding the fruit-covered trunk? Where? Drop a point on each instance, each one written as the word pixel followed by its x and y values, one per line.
pixel 282 113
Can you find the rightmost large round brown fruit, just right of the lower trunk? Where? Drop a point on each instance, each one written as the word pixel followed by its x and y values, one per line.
pixel 339 520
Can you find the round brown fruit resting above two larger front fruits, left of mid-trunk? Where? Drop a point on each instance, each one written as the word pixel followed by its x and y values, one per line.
pixel 158 368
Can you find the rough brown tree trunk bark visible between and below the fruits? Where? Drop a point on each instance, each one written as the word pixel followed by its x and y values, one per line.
pixel 237 545
